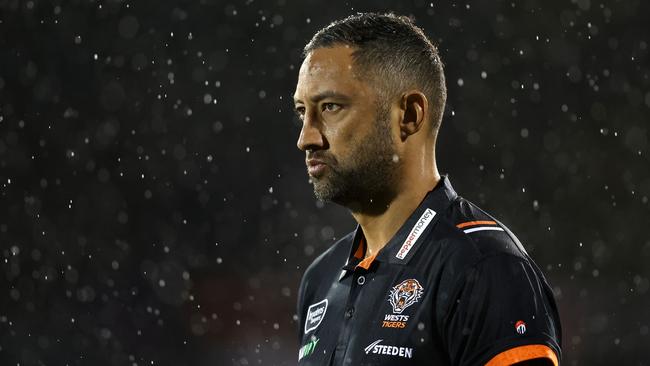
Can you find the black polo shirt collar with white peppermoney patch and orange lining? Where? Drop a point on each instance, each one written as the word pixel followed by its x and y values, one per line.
pixel 403 245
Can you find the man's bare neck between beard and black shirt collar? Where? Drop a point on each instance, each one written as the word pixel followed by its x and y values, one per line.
pixel 380 220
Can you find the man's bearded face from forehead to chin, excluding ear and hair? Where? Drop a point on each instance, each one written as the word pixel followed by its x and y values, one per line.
pixel 346 130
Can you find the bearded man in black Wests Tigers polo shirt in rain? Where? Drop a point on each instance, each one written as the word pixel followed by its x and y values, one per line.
pixel 427 278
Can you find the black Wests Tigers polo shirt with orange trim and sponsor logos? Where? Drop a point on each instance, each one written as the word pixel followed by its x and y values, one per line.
pixel 453 287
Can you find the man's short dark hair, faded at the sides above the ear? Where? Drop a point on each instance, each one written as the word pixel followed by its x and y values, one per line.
pixel 392 51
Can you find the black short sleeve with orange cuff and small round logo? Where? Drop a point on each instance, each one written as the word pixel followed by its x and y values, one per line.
pixel 503 313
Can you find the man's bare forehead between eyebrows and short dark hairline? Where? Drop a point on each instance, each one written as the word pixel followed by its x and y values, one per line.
pixel 329 69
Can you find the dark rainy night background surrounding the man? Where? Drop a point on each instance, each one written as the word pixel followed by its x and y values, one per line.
pixel 154 209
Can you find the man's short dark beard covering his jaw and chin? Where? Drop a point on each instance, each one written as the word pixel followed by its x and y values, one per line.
pixel 366 179
